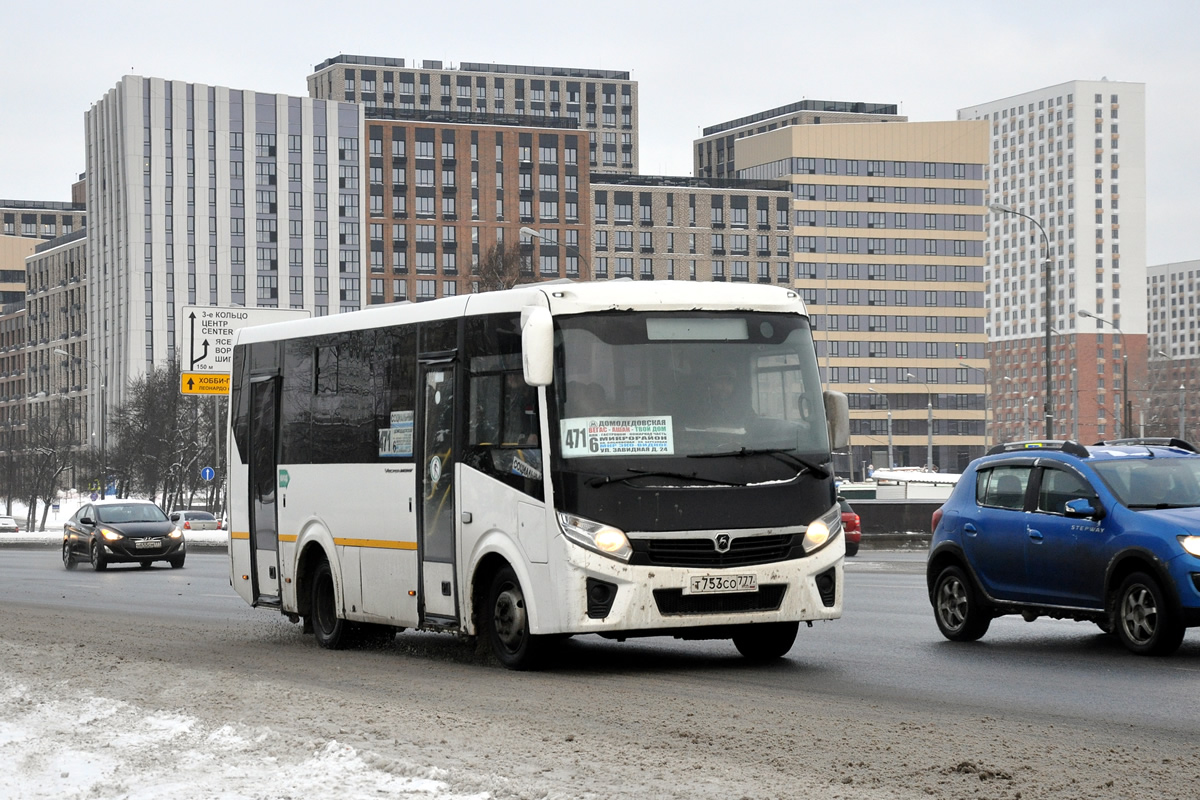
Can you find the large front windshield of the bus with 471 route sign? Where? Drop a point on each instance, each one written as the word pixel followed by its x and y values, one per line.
pixel 637 390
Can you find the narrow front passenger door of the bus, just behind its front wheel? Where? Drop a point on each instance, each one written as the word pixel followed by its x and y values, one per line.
pixel 437 524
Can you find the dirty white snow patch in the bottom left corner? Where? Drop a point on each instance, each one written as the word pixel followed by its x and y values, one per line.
pixel 61 747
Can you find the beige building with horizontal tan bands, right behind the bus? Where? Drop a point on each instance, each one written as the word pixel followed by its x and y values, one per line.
pixel 887 228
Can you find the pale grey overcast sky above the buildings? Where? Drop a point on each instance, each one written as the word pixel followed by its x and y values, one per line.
pixel 697 64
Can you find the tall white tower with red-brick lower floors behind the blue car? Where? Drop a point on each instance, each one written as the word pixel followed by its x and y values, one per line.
pixel 1067 170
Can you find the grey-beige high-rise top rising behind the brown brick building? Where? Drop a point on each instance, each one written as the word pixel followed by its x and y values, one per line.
pixel 601 103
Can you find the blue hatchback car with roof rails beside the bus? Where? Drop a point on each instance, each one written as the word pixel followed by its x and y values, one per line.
pixel 1108 534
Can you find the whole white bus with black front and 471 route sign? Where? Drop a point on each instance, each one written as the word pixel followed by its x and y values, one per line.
pixel 623 459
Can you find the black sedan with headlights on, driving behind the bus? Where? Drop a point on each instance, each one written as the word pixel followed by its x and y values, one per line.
pixel 106 532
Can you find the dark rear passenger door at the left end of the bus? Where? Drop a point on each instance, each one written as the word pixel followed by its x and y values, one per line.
pixel 265 467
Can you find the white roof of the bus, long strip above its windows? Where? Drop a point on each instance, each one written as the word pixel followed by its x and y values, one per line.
pixel 561 297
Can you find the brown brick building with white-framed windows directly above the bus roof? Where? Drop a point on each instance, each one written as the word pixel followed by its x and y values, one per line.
pixel 446 196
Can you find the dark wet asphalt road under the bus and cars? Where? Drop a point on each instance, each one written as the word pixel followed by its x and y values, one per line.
pixel 886 647
